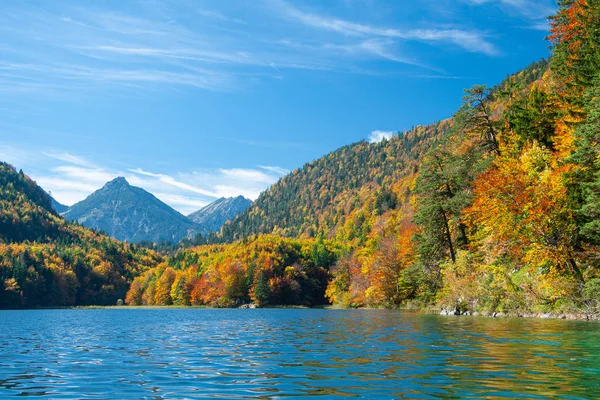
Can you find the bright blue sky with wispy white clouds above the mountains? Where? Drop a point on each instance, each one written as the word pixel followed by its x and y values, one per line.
pixel 196 100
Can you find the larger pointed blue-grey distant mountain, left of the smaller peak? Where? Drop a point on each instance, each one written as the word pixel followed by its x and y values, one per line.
pixel 130 214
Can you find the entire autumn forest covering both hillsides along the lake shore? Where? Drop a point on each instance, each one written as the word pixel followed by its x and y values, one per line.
pixel 496 209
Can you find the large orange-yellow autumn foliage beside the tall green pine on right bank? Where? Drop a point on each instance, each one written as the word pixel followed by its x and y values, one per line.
pixel 521 212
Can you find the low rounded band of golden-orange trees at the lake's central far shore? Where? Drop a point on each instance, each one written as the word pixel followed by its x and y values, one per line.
pixel 264 270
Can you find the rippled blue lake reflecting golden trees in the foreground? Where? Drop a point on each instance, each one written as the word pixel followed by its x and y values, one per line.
pixel 278 353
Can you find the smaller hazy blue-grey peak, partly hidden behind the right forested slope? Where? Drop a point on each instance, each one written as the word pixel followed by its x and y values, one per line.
pixel 213 216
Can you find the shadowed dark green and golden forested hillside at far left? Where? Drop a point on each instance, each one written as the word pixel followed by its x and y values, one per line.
pixel 46 261
